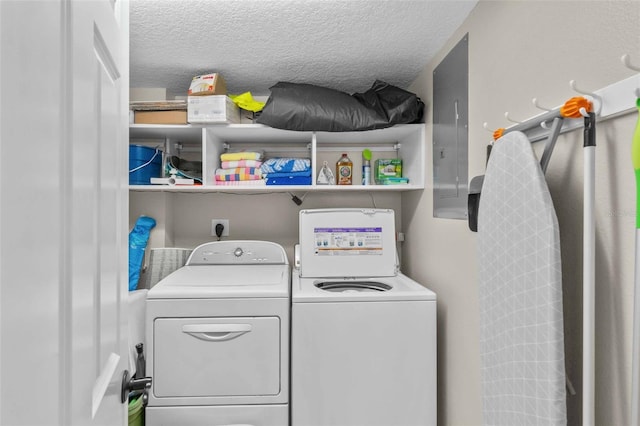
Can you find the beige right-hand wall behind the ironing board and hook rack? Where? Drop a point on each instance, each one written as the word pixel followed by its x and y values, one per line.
pixel 519 50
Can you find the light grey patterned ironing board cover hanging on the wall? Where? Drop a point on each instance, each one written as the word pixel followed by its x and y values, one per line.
pixel 520 288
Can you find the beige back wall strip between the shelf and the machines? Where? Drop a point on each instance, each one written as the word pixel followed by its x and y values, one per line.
pixel 184 219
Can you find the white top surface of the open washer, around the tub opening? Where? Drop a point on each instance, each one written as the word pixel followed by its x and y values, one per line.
pixel 373 289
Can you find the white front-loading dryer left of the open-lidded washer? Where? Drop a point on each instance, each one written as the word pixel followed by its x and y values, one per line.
pixel 217 334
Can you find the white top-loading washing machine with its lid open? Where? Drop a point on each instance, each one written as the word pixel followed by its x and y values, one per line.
pixel 363 334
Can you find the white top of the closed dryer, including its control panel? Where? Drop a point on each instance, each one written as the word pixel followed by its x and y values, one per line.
pixel 228 269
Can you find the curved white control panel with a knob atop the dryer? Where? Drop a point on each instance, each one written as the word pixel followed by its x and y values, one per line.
pixel 238 252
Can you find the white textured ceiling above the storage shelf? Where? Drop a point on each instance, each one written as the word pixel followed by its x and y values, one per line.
pixel 344 45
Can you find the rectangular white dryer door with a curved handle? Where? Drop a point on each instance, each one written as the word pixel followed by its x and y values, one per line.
pixel 210 357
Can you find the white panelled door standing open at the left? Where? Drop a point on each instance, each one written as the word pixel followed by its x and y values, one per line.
pixel 63 211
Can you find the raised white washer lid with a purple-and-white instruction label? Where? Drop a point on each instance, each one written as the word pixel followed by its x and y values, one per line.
pixel 347 243
